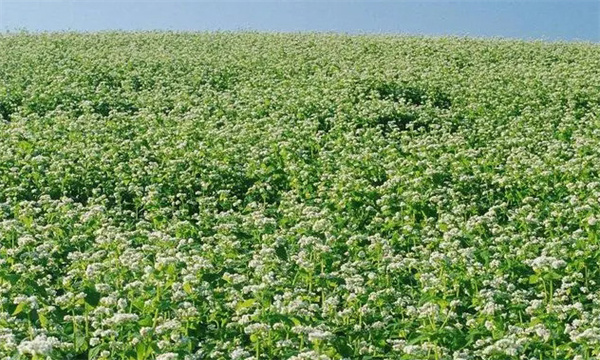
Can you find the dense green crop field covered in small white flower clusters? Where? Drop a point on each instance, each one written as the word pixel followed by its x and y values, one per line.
pixel 298 196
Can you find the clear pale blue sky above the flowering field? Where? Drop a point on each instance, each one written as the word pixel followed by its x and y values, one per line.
pixel 525 19
